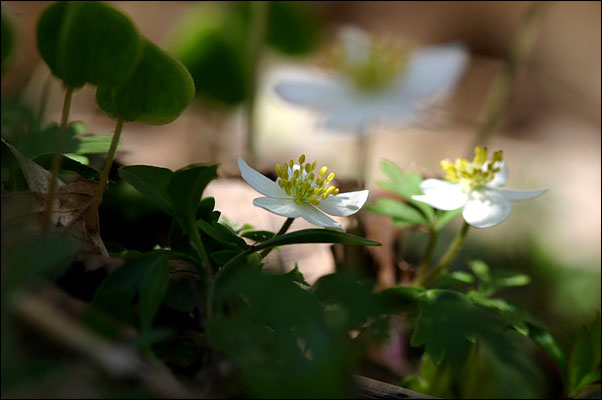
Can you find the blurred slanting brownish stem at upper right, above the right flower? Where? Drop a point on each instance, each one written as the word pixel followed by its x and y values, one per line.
pixel 503 85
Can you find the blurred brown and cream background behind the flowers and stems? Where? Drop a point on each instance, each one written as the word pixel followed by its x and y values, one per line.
pixel 550 133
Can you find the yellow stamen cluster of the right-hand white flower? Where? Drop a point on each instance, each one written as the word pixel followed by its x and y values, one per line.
pixel 471 175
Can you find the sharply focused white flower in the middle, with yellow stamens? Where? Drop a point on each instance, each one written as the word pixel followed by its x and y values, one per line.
pixel 299 192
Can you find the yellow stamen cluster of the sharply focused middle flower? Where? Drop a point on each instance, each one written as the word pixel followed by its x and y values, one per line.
pixel 300 182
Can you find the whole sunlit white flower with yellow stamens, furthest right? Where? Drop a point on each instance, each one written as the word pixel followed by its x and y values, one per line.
pixel 476 186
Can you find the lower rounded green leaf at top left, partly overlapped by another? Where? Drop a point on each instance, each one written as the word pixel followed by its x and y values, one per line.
pixel 156 93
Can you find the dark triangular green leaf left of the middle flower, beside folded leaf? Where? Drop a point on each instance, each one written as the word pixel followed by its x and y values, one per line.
pixel 151 181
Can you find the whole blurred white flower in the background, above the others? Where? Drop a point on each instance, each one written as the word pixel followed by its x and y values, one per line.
pixel 376 83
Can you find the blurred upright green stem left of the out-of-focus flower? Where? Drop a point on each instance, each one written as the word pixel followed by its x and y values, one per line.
pixel 259 12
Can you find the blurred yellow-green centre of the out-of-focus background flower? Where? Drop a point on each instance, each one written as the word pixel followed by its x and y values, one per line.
pixel 370 62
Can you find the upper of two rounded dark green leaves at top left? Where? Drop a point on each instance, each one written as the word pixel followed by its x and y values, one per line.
pixel 88 41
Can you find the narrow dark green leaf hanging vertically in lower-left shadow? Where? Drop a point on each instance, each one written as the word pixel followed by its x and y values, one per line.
pixel 153 287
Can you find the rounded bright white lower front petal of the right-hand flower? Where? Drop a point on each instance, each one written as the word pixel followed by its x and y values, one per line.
pixel 487 209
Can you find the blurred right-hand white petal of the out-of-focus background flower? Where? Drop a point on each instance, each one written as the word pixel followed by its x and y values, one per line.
pixel 434 70
